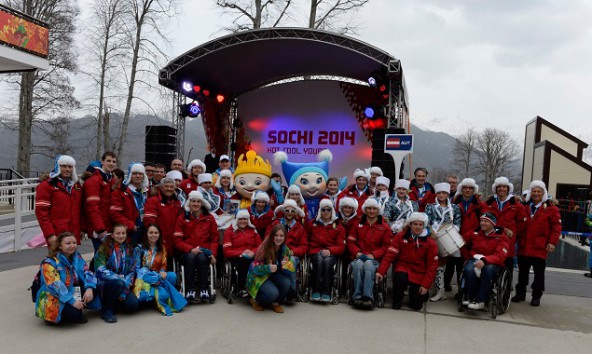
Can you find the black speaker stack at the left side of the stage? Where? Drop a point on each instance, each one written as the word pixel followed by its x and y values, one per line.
pixel 161 143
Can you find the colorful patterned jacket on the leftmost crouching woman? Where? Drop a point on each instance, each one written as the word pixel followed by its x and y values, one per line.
pixel 58 276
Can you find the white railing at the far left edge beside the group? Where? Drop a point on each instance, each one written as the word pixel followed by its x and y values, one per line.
pixel 20 194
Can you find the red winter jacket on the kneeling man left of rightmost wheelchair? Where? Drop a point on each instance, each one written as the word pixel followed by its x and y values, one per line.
pixel 419 259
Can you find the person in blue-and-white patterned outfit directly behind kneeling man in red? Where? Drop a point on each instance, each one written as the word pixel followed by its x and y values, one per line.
pixel 399 206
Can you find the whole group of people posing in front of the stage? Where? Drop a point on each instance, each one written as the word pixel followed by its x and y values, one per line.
pixel 137 224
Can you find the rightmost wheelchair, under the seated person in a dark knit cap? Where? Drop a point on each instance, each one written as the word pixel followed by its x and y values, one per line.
pixel 498 300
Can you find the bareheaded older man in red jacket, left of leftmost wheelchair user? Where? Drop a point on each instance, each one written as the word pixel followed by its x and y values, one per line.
pixel 163 209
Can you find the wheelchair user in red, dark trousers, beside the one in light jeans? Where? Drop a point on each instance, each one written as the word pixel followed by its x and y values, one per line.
pixel 327 242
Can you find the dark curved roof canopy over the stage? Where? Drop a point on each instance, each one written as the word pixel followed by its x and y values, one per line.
pixel 244 61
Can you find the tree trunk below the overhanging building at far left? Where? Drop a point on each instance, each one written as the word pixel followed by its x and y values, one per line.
pixel 25 123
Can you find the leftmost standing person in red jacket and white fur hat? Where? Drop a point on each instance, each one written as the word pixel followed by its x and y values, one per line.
pixel 58 201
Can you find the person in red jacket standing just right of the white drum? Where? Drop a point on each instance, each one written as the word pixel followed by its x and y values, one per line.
pixel 471 208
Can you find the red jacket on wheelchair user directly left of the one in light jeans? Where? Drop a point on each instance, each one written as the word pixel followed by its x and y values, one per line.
pixel 331 237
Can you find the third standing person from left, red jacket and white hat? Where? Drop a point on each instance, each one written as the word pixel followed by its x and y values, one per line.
pixel 127 202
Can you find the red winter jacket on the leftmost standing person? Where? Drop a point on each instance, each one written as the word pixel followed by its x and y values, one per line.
pixel 57 210
